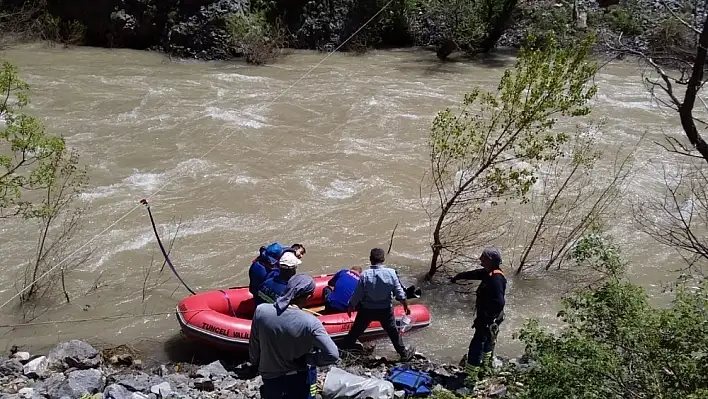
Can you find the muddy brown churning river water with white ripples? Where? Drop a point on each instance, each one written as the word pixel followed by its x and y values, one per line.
pixel 334 163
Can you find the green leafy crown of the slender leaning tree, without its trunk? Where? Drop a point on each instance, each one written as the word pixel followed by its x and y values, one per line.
pixel 516 123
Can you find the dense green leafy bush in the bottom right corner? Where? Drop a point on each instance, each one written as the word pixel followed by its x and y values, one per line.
pixel 615 344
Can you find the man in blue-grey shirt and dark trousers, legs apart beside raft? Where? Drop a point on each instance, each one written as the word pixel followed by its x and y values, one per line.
pixel 373 297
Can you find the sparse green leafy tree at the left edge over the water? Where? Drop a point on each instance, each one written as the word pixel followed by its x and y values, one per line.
pixel 40 179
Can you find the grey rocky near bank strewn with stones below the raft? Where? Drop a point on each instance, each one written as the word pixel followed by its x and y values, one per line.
pixel 76 370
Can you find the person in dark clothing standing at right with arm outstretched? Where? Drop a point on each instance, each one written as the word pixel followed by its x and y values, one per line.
pixel 489 309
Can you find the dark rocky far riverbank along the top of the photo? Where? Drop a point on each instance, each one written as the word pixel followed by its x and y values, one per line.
pixel 223 29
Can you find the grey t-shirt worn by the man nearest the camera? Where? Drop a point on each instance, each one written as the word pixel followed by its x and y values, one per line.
pixel 278 344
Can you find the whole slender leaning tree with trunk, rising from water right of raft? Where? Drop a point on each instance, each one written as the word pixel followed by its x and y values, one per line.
pixel 491 149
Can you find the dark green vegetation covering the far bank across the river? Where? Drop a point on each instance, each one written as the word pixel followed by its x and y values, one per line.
pixel 258 35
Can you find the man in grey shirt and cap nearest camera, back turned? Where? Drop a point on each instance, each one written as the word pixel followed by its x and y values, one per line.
pixel 282 340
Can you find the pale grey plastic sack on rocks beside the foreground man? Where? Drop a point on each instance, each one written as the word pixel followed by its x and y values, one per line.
pixel 341 384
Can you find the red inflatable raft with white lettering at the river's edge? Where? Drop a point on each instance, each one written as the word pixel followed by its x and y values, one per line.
pixel 223 317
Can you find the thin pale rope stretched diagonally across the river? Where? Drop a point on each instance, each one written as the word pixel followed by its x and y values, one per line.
pixel 20 292
